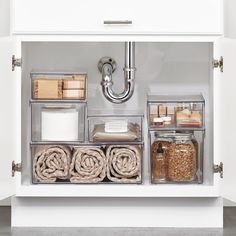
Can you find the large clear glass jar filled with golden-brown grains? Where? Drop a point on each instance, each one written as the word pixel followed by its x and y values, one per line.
pixel 182 159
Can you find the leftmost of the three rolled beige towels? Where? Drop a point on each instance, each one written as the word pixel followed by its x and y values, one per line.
pixel 51 163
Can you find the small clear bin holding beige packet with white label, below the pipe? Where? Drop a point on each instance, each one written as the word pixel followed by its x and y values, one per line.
pixel 115 128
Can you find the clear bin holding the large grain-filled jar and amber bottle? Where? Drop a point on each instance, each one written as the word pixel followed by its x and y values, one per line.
pixel 176 156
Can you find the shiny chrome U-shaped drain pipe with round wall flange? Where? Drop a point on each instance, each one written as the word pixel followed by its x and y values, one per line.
pixel 107 66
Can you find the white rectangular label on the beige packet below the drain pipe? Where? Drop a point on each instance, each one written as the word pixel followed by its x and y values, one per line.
pixel 116 126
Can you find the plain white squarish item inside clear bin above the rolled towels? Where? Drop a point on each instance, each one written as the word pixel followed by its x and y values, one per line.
pixel 59 124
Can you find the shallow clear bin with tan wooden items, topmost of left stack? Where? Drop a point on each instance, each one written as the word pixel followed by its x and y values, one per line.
pixel 59 86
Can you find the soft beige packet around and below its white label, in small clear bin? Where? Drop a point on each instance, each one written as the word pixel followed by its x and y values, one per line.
pixel 100 135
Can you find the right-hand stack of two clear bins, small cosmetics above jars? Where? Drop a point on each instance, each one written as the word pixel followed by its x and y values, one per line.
pixel 176 134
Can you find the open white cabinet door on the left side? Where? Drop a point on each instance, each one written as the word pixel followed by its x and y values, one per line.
pixel 8 94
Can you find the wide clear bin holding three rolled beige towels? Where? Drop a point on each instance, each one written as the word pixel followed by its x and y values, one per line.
pixel 86 164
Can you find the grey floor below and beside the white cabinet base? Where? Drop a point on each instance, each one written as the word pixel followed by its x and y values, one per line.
pixel 229 229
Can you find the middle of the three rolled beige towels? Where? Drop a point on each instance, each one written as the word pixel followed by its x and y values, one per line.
pixel 88 165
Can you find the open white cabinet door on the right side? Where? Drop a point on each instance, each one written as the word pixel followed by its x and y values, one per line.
pixel 225 116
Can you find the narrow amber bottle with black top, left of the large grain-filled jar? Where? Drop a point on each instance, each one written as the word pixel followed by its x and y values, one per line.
pixel 159 158
